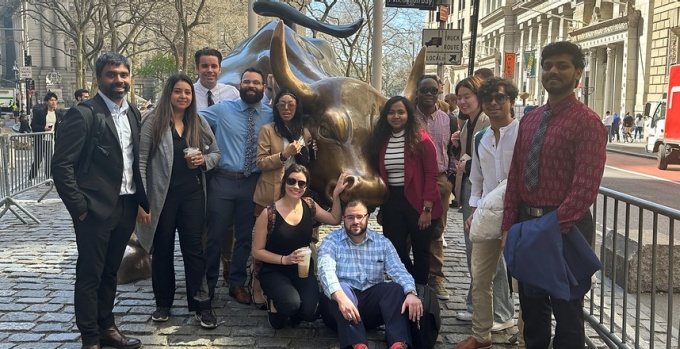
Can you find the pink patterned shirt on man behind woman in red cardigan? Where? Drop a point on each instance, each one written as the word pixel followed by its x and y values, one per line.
pixel 438 127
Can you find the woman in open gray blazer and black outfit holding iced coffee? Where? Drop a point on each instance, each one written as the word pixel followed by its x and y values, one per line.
pixel 176 188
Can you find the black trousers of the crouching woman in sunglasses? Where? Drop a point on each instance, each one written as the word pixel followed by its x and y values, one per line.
pixel 294 297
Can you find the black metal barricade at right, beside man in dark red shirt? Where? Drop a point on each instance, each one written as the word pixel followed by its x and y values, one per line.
pixel 631 305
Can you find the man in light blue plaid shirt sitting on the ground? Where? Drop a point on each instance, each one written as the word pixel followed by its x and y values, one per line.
pixel 352 263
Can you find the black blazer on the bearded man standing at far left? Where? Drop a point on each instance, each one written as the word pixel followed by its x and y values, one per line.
pixel 95 192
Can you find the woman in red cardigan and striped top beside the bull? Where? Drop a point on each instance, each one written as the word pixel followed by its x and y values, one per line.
pixel 406 159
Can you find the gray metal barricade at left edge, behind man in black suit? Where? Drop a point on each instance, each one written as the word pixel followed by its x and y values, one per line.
pixel 26 160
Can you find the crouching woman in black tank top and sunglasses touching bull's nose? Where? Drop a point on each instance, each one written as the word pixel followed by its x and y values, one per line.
pixel 281 230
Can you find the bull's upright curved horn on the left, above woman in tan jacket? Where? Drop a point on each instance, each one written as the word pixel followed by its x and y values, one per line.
pixel 280 69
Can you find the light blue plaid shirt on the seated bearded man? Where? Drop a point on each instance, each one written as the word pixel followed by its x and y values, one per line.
pixel 360 265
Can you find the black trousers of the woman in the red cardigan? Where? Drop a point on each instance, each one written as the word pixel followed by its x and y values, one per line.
pixel 400 222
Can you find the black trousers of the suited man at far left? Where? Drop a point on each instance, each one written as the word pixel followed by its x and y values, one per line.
pixel 101 245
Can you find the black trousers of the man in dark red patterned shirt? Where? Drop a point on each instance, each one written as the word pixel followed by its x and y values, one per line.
pixel 537 310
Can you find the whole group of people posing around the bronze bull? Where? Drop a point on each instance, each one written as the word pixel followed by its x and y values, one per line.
pixel 226 170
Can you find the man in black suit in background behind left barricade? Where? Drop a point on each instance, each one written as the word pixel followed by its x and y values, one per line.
pixel 46 118
